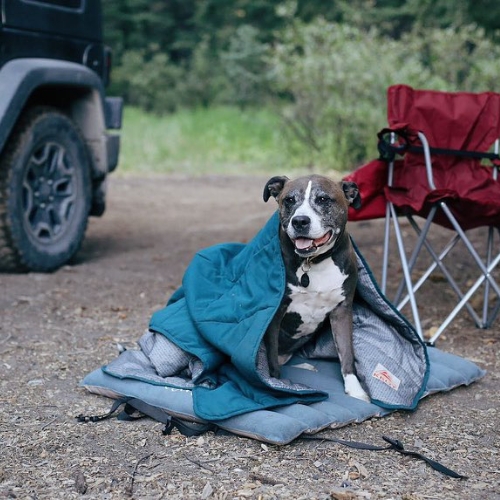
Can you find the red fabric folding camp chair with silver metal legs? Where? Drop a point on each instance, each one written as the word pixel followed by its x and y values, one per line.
pixel 432 165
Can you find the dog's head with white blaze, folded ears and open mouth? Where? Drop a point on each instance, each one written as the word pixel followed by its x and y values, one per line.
pixel 313 210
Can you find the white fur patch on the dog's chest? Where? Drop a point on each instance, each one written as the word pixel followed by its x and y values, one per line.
pixel 324 293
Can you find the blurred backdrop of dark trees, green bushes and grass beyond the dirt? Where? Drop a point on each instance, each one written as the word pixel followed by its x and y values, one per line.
pixel 300 83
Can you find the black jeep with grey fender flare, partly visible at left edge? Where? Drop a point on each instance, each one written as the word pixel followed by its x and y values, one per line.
pixel 56 148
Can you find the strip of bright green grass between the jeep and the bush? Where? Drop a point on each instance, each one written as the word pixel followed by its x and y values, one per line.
pixel 220 140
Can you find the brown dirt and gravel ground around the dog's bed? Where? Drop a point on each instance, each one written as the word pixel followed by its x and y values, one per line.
pixel 56 328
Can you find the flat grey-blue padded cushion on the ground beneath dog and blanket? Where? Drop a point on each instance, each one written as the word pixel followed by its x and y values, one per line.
pixel 284 424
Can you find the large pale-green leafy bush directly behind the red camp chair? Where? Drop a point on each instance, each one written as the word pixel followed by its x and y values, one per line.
pixel 336 76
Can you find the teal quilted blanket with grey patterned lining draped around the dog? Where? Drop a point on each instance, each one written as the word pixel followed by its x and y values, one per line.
pixel 208 338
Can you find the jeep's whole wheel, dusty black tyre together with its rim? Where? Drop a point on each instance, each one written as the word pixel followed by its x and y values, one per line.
pixel 45 192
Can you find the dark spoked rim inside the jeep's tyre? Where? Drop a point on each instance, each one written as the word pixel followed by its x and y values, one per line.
pixel 49 193
